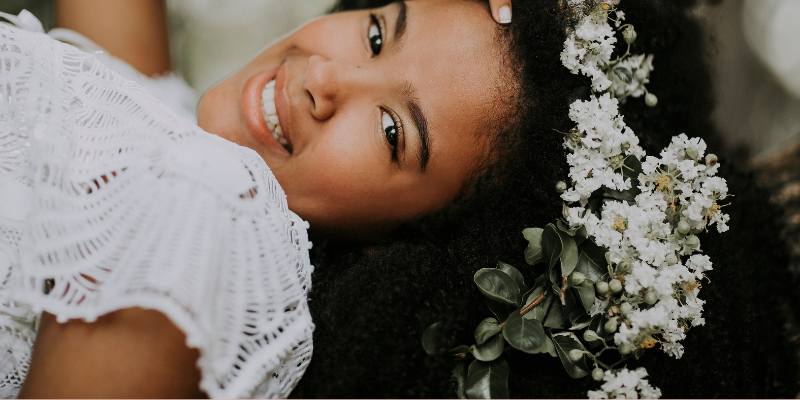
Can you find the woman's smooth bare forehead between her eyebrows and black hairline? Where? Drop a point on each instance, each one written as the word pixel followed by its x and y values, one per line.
pixel 450 54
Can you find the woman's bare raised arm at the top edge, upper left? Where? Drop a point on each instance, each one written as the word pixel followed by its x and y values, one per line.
pixel 132 30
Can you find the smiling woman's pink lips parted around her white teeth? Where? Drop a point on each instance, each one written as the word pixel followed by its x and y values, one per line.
pixel 253 113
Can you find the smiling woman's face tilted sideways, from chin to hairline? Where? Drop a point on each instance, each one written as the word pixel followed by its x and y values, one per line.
pixel 369 118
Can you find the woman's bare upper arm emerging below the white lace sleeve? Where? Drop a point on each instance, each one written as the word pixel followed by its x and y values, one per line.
pixel 133 353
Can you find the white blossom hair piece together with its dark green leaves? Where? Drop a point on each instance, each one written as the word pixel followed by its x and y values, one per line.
pixel 622 268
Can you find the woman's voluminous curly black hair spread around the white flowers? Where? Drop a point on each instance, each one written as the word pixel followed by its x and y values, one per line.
pixel 371 302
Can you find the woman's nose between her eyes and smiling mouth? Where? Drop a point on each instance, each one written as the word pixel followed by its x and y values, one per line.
pixel 326 83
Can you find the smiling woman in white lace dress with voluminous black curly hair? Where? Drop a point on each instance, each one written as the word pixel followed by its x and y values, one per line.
pixel 147 255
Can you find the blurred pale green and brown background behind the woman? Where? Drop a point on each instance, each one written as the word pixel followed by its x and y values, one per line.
pixel 755 54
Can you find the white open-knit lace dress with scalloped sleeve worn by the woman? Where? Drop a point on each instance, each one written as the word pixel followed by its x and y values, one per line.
pixel 109 199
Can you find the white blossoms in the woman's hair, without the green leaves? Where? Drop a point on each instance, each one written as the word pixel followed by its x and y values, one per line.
pixel 651 208
